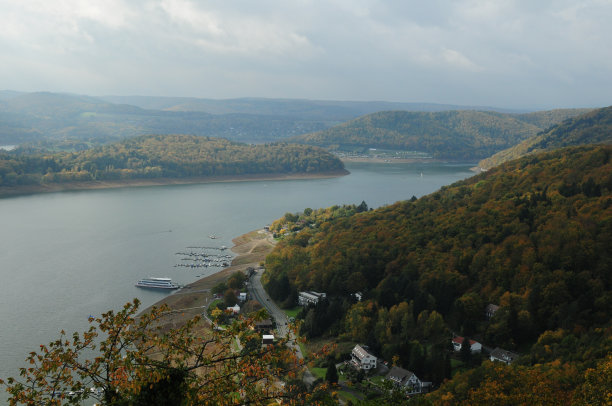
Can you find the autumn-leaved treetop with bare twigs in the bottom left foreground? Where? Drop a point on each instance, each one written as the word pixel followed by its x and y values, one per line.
pixel 124 359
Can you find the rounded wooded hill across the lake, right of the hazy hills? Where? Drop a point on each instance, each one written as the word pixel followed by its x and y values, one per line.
pixel 460 135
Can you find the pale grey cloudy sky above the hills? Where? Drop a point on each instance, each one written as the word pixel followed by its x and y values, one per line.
pixel 501 53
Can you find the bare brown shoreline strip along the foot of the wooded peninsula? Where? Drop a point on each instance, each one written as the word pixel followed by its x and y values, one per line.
pixel 7 191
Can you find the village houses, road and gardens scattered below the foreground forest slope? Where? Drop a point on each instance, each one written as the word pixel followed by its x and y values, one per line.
pixel 362 372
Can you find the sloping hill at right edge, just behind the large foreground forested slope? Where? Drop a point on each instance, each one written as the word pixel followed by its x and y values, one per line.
pixel 594 127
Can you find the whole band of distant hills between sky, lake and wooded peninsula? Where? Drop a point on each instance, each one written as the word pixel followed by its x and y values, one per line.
pixel 466 134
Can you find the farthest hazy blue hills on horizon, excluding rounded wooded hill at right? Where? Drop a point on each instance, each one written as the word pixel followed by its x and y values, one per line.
pixel 26 117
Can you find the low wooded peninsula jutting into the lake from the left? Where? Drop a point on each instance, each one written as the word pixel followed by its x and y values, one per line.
pixel 167 156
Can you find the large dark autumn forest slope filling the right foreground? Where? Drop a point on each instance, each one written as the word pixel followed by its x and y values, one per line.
pixel 533 236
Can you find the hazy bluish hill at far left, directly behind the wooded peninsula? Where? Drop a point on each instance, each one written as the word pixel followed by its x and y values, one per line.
pixel 35 116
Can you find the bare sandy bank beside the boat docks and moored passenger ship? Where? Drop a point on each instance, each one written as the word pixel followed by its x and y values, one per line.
pixel 251 250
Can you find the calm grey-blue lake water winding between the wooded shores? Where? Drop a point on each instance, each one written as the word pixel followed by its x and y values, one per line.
pixel 64 256
